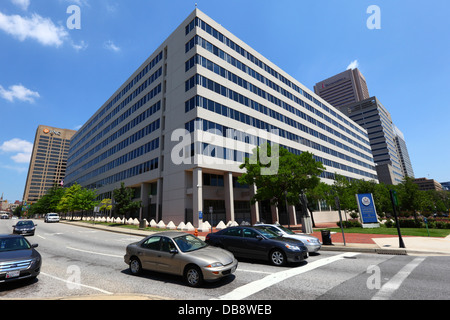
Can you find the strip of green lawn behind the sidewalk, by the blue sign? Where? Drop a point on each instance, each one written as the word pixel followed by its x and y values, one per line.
pixel 420 232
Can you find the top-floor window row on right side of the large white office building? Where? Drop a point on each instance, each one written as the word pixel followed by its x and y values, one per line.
pixel 196 22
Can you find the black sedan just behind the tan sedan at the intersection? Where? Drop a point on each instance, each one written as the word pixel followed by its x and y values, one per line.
pixel 259 243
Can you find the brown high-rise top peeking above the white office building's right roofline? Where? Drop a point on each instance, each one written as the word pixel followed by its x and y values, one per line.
pixel 344 88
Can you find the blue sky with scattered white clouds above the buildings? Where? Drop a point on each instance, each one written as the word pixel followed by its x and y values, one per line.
pixel 57 76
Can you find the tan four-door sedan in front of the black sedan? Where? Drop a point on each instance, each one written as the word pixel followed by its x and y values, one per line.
pixel 181 254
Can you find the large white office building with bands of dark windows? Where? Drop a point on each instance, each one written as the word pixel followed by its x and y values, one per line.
pixel 180 126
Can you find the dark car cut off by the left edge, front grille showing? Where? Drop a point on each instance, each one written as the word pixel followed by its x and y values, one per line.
pixel 18 259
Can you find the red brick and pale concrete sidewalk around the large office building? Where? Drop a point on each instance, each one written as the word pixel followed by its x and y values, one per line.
pixel 365 243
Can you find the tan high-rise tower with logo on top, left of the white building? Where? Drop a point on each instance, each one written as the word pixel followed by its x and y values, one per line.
pixel 48 161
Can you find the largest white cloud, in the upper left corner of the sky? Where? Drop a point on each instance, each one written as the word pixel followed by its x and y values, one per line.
pixel 38 28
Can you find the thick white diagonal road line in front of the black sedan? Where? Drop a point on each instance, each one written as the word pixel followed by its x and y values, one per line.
pixel 256 286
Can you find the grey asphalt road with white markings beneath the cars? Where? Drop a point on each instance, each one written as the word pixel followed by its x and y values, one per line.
pixel 84 262
